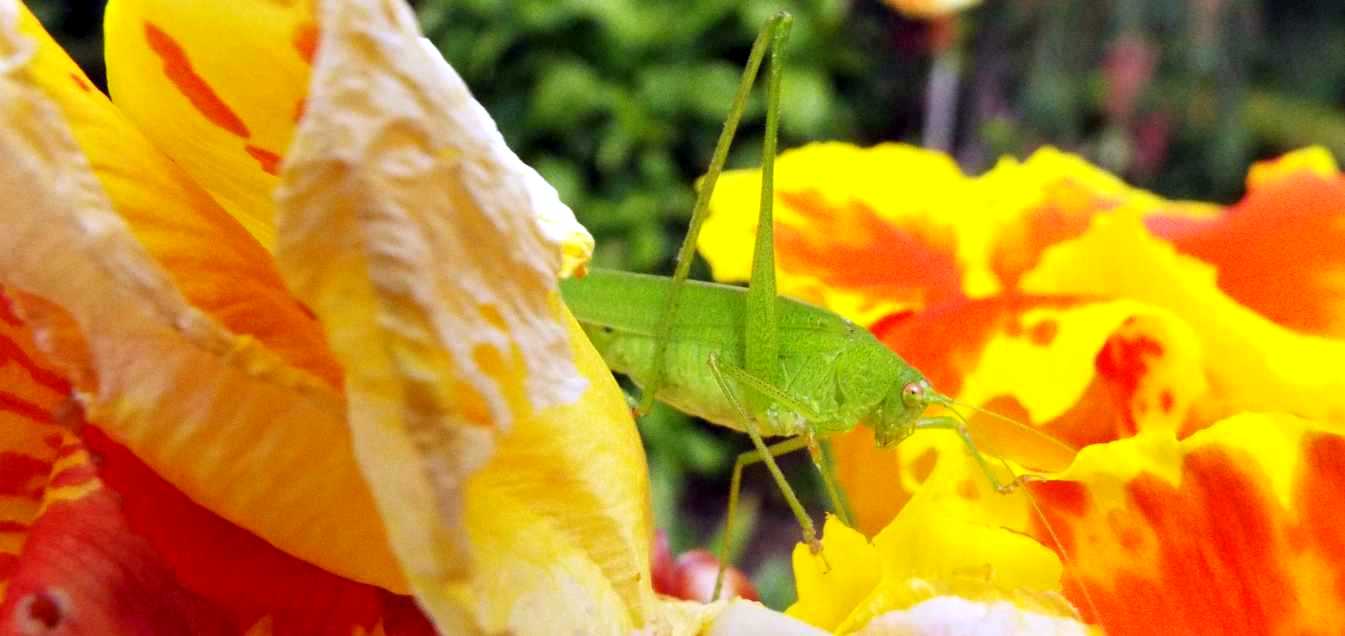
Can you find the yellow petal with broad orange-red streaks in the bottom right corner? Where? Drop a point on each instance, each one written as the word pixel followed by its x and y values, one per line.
pixel 1234 530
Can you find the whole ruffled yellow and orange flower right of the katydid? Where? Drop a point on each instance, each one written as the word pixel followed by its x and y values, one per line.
pixel 1194 353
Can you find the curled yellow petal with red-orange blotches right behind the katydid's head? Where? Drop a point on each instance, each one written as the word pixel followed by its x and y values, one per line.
pixel 1071 372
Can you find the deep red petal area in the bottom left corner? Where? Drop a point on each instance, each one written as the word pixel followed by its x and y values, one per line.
pixel 119 551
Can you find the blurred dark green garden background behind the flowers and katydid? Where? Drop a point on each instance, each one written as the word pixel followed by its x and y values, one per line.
pixel 618 103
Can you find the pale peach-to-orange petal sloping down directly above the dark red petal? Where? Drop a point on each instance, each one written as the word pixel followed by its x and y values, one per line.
pixel 221 418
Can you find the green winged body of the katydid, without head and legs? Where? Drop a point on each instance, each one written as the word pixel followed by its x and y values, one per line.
pixel 825 362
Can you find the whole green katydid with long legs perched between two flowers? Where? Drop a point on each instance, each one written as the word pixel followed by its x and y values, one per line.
pixel 750 360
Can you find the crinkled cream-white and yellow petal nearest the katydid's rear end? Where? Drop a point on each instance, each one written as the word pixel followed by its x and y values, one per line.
pixel 508 479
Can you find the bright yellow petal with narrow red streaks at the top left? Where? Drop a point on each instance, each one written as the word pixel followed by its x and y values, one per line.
pixel 216 87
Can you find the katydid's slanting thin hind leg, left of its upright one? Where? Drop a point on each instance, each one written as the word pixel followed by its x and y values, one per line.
pixel 687 252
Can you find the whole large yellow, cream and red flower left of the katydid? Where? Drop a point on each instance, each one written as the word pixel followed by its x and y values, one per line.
pixel 282 346
